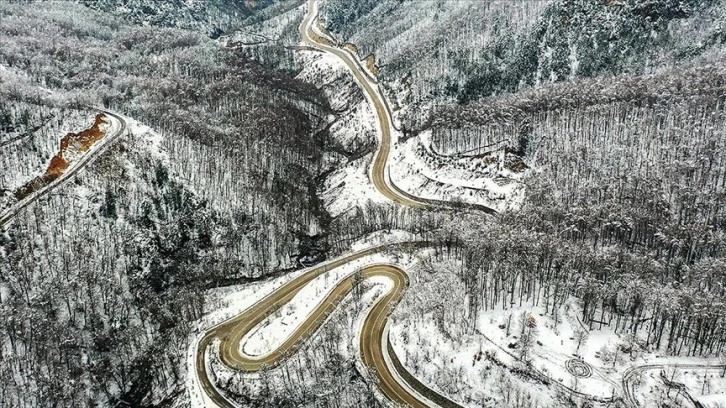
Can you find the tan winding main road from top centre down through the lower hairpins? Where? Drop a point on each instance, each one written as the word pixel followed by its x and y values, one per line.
pixel 373 338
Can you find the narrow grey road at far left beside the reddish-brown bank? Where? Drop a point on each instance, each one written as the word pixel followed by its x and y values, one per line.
pixel 118 127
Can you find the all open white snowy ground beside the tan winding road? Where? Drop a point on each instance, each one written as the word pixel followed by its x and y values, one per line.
pixel 482 366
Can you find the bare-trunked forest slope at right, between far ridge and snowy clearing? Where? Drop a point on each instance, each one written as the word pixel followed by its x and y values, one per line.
pixel 624 210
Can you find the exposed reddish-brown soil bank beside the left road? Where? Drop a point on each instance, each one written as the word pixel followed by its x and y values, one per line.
pixel 76 143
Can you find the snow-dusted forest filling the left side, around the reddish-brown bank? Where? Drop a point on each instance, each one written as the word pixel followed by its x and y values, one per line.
pixel 99 282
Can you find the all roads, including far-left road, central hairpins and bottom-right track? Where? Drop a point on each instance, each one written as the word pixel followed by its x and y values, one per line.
pixel 396 384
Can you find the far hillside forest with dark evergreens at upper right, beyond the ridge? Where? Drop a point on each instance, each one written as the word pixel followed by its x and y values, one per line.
pixel 460 51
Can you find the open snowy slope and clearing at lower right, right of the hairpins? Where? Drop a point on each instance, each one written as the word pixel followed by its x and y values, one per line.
pixel 481 365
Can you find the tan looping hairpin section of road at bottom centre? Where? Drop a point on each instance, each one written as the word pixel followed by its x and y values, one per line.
pixel 233 331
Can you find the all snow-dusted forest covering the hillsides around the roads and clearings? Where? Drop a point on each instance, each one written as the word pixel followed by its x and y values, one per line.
pixel 99 282
